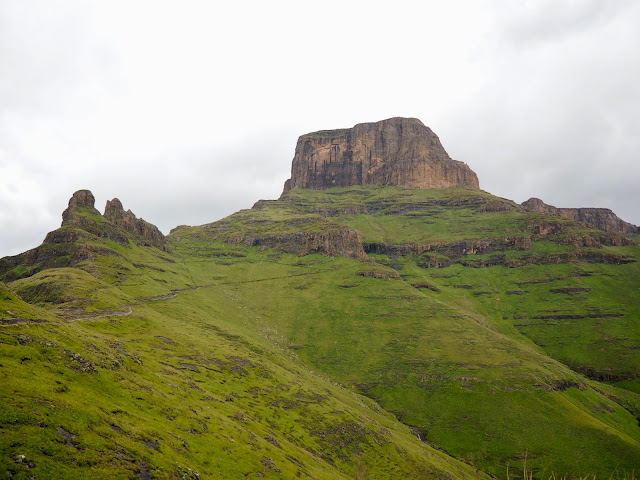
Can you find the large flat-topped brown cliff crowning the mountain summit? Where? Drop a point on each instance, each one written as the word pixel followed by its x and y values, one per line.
pixel 397 151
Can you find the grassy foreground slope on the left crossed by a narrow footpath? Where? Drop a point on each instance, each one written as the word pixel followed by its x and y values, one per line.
pixel 126 366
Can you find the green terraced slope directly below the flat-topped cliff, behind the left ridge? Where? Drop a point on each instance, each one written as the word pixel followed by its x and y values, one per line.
pixel 438 324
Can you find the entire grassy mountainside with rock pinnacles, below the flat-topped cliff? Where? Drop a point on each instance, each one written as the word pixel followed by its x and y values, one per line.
pixel 359 331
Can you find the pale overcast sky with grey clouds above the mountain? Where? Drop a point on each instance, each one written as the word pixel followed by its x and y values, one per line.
pixel 189 111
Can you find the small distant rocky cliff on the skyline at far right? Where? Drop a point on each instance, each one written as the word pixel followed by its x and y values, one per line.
pixel 601 218
